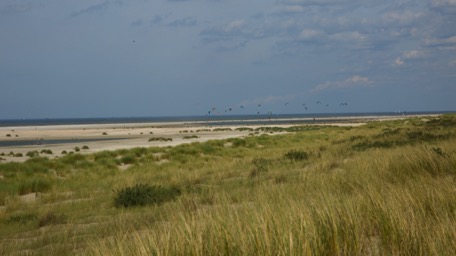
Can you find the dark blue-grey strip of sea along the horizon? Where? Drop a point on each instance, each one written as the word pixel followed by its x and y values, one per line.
pixel 207 120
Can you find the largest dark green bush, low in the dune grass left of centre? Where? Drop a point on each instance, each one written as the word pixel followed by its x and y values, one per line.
pixel 142 194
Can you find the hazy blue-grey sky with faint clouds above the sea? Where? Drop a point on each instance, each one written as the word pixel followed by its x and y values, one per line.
pixel 118 58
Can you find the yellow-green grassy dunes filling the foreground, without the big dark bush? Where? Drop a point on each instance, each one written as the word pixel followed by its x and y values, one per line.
pixel 385 188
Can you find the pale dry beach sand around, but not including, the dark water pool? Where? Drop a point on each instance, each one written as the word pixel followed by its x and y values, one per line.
pixel 138 134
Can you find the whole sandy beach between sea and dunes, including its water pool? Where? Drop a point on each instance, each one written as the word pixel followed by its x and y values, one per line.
pixel 114 136
